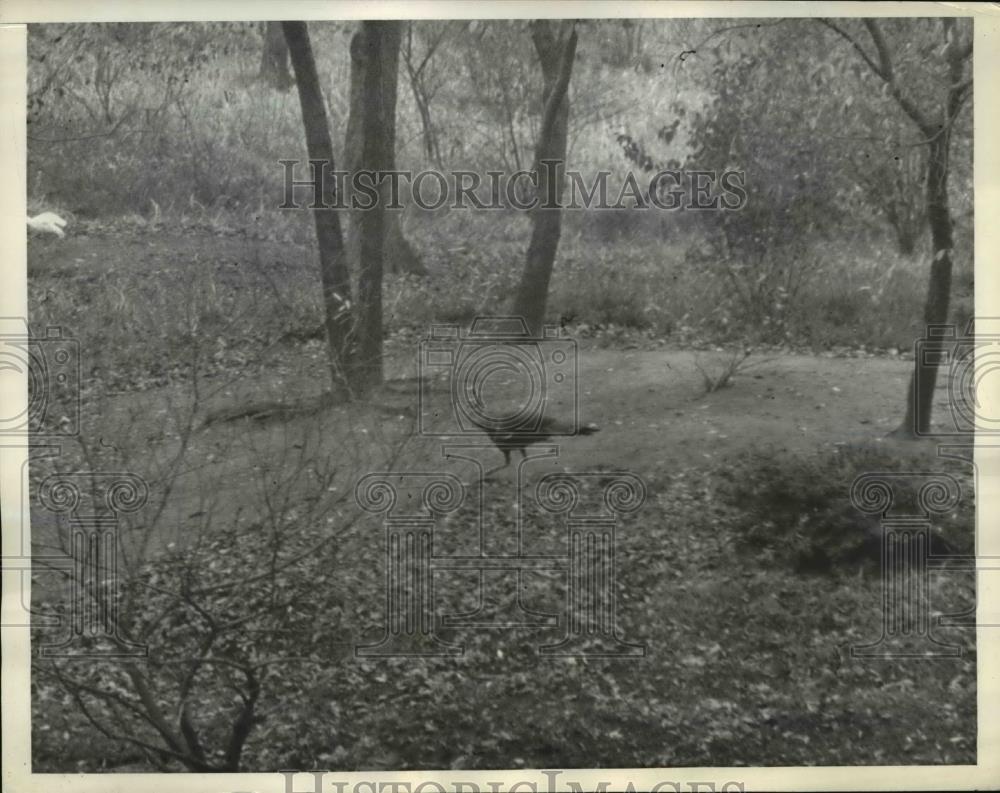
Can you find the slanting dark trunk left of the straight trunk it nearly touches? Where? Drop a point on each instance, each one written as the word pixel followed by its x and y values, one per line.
pixel 334 273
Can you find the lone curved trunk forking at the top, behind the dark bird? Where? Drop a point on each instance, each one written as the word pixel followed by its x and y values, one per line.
pixel 556 56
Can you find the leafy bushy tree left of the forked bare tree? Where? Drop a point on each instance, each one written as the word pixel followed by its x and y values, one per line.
pixel 753 125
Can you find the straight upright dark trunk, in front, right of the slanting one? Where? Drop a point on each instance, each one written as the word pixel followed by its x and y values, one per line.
pixel 375 52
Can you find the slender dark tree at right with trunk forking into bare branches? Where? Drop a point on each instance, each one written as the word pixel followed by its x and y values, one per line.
pixel 934 118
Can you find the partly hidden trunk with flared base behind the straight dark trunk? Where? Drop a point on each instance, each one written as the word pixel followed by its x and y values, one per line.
pixel 399 255
